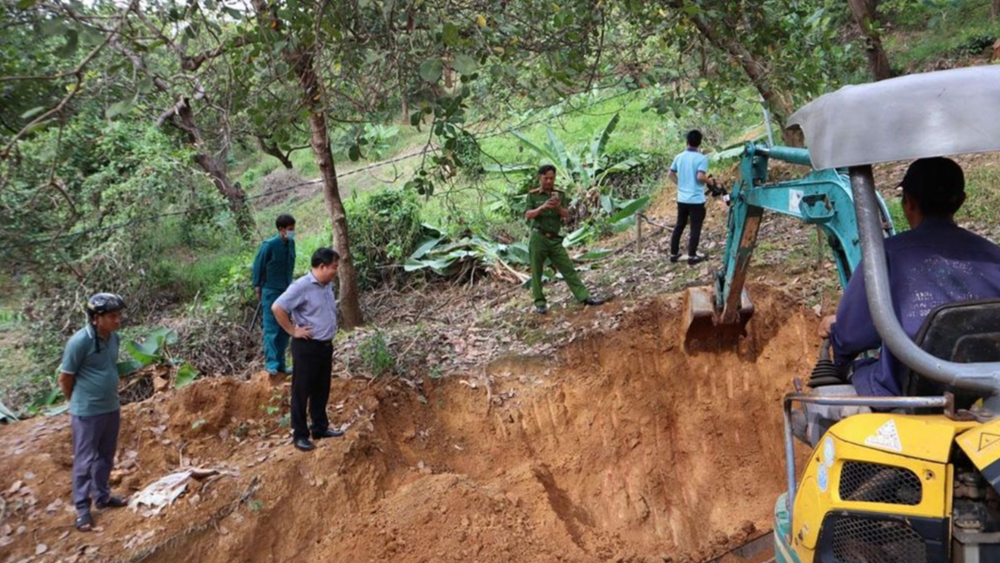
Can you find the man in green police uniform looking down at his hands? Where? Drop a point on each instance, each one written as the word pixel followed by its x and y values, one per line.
pixel 546 212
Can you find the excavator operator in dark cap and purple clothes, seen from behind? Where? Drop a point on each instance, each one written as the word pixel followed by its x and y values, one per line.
pixel 936 262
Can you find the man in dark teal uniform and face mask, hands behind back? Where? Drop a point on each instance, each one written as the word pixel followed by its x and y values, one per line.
pixel 272 274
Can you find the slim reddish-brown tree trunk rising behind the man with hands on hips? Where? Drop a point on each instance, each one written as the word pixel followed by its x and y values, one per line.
pixel 350 302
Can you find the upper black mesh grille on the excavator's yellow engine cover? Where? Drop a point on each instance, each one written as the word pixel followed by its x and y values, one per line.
pixel 874 482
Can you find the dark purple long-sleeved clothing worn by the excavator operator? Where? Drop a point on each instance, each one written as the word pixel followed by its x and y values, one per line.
pixel 936 263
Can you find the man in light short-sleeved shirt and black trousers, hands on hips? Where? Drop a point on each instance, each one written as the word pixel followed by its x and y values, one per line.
pixel 307 310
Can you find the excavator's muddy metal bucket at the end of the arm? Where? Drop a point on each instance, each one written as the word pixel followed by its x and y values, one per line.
pixel 705 327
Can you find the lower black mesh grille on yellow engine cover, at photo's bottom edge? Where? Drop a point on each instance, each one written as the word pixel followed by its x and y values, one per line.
pixel 867 540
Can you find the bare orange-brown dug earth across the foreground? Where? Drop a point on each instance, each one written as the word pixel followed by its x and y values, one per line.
pixel 621 448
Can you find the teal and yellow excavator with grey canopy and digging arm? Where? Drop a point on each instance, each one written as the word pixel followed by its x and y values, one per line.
pixel 916 478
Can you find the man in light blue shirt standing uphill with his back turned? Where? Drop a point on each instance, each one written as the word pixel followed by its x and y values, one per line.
pixel 690 171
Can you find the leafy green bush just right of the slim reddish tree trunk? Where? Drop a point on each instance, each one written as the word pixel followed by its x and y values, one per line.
pixel 385 228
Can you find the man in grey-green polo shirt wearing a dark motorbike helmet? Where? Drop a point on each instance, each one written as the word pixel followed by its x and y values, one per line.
pixel 89 378
